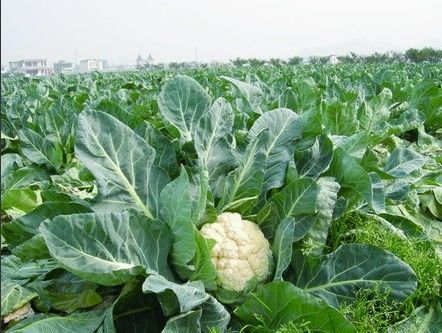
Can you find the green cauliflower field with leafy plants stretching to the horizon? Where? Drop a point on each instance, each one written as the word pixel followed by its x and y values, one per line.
pixel 261 199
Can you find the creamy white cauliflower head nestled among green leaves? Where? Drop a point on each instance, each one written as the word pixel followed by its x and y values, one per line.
pixel 241 252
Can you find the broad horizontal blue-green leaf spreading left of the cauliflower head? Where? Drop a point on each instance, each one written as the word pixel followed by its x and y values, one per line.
pixel 108 248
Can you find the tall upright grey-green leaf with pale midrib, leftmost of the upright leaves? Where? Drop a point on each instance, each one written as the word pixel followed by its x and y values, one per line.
pixel 122 163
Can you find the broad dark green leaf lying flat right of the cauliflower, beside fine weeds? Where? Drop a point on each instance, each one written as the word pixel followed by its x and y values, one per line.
pixel 352 267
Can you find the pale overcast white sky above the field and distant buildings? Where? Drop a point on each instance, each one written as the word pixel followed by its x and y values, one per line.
pixel 180 30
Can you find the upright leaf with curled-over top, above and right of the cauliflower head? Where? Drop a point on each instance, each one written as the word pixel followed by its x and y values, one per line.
pixel 283 129
